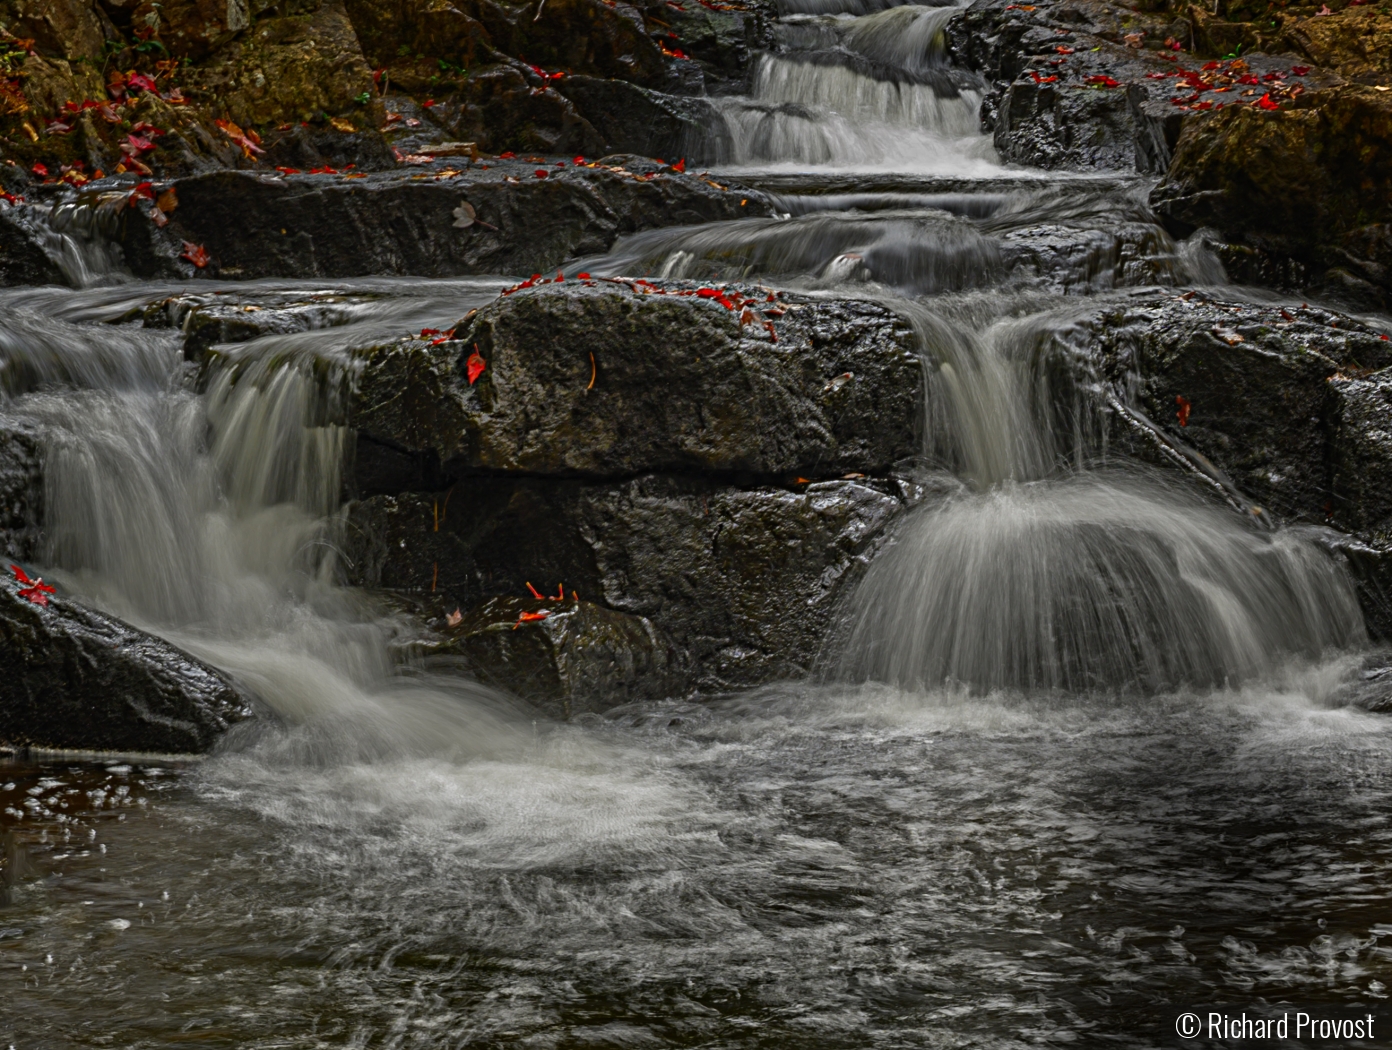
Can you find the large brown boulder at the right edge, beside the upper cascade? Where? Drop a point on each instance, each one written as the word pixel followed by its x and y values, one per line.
pixel 1302 197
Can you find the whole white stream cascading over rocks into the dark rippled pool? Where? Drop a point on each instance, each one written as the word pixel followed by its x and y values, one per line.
pixel 1074 762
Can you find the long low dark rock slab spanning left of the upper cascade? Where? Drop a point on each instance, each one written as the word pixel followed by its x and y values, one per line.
pixel 326 226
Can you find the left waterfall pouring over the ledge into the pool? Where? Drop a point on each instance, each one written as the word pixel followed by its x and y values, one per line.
pixel 205 512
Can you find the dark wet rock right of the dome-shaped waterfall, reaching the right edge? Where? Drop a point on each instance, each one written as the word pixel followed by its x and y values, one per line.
pixel 1253 396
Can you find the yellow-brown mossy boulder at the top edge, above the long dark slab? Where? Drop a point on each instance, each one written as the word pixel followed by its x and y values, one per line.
pixel 290 69
